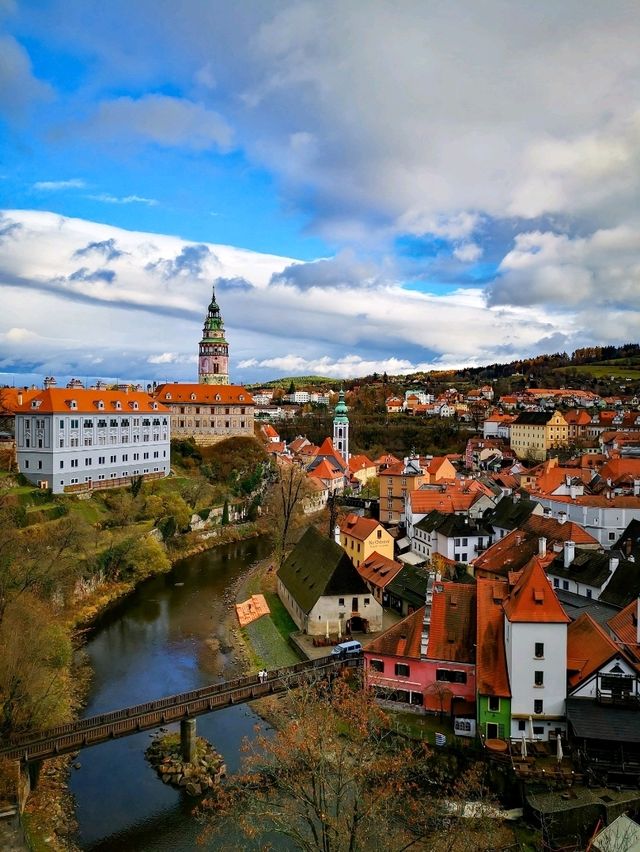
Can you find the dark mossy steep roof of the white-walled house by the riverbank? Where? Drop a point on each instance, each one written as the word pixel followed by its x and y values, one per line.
pixel 318 567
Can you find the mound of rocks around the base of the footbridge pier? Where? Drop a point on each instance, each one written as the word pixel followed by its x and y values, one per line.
pixel 197 778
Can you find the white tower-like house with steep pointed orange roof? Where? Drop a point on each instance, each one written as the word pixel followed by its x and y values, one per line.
pixel 535 636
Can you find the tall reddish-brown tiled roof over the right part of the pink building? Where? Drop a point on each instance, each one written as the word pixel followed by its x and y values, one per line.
pixel 452 634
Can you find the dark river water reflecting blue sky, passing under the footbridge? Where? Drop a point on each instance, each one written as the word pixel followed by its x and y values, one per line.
pixel 169 636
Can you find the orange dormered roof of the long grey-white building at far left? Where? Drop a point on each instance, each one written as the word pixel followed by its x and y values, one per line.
pixel 88 401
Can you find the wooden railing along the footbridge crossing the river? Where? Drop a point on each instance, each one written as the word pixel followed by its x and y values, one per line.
pixel 193 702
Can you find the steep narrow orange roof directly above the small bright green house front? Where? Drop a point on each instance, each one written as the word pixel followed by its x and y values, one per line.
pixel 492 676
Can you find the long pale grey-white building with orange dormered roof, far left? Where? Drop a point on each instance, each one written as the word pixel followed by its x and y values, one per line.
pixel 76 439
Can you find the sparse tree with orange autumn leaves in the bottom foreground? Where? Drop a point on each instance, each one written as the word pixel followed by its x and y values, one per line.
pixel 334 777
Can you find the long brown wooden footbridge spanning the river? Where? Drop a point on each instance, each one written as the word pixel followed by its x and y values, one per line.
pixel 174 708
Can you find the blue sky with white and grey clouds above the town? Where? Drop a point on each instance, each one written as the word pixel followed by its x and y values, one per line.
pixel 369 186
